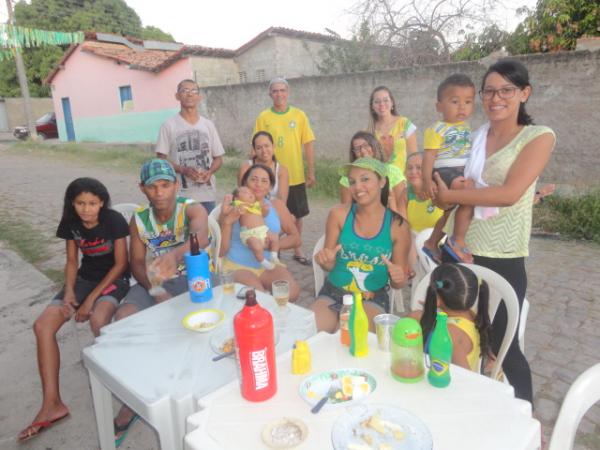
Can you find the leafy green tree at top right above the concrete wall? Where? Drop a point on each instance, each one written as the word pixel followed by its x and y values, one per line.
pixel 556 25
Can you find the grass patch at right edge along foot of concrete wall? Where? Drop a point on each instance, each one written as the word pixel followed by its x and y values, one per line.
pixel 576 216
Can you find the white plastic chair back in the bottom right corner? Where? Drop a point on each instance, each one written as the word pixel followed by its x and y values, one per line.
pixel 582 394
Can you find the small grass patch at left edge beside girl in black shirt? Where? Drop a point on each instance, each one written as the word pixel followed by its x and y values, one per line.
pixel 24 239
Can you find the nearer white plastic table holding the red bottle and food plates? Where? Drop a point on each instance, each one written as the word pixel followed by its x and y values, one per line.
pixel 473 413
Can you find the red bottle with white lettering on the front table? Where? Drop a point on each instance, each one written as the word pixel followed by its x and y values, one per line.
pixel 255 348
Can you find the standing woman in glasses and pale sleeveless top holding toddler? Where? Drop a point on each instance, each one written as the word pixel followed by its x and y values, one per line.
pixel 513 154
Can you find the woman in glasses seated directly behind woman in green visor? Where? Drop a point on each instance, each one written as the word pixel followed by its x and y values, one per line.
pixel 364 145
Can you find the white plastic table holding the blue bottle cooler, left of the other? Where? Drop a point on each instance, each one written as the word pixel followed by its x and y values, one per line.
pixel 159 368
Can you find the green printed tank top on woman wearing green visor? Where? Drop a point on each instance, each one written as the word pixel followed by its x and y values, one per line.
pixel 358 265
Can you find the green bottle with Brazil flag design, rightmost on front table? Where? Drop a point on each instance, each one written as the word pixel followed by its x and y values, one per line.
pixel 440 352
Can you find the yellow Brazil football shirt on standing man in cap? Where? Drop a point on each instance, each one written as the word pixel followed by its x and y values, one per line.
pixel 290 130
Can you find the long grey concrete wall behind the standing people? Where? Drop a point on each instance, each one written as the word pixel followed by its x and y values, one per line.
pixel 566 97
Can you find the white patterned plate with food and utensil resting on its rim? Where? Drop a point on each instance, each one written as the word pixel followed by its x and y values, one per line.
pixel 348 385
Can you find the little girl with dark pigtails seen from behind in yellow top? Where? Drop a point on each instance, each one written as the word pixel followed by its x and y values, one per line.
pixel 455 289
